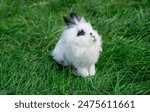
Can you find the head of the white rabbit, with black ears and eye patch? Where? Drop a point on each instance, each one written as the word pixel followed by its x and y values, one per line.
pixel 79 31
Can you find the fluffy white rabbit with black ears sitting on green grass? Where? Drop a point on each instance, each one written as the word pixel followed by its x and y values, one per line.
pixel 80 46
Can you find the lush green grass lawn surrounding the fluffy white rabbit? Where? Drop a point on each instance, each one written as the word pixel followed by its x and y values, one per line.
pixel 29 30
